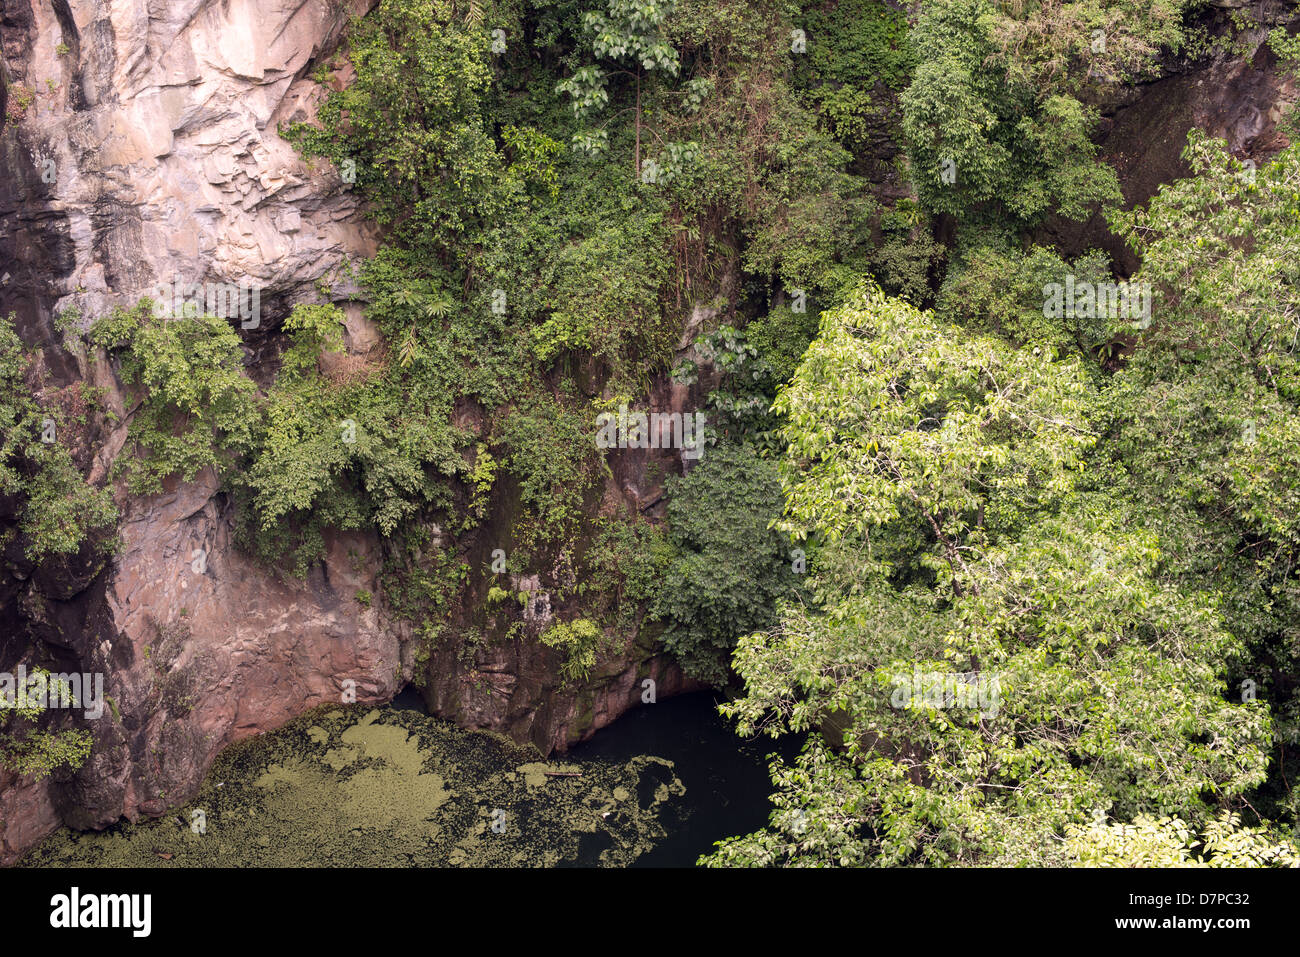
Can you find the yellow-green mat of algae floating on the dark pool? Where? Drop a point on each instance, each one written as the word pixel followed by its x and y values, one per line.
pixel 356 789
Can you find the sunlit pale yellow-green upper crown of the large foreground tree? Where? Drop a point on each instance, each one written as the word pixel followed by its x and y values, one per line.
pixel 892 412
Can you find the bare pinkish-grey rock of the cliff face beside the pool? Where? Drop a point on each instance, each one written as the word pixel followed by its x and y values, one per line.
pixel 140 146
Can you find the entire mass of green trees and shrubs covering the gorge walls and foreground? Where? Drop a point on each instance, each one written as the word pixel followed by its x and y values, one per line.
pixel 915 466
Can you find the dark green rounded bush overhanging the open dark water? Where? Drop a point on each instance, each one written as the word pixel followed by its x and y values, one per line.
pixel 729 569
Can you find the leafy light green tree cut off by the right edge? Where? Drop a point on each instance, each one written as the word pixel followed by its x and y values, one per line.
pixel 1208 410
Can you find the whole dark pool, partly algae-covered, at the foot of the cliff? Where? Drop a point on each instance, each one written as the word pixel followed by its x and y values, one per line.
pixel 391 787
